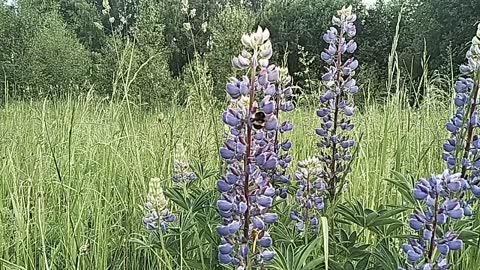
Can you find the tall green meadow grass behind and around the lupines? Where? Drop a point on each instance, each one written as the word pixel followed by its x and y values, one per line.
pixel 74 176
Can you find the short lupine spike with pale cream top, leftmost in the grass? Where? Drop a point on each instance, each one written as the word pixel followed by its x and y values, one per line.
pixel 158 215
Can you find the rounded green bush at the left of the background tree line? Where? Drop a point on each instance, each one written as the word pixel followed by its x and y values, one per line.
pixel 55 58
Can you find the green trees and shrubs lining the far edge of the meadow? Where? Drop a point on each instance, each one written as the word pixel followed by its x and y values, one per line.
pixel 152 50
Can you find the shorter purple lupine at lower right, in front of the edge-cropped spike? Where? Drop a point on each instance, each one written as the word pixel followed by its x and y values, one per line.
pixel 441 204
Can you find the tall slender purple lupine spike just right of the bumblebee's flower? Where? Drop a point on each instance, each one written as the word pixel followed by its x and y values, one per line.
pixel 336 106
